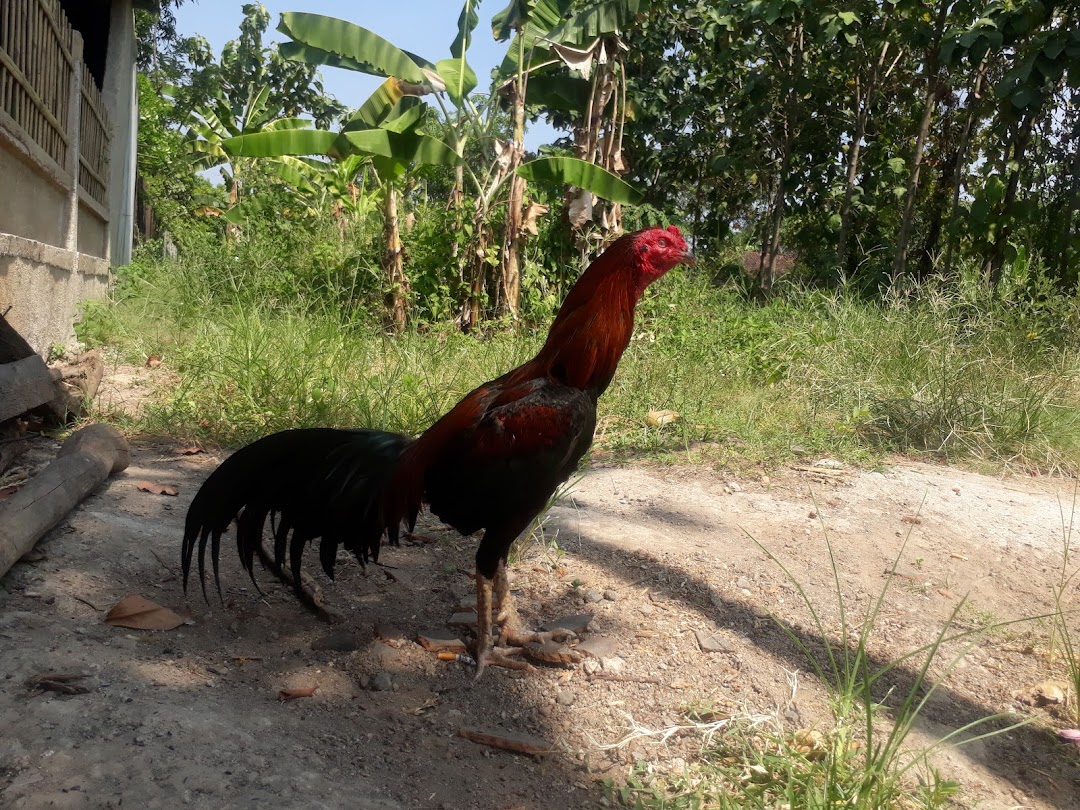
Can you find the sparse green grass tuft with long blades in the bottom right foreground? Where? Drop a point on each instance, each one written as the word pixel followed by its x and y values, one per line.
pixel 866 761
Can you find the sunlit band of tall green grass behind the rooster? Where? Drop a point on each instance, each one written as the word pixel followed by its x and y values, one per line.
pixel 808 373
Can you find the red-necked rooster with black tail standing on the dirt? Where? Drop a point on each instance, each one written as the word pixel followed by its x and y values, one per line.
pixel 492 463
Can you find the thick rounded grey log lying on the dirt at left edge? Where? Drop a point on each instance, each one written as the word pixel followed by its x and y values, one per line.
pixel 85 462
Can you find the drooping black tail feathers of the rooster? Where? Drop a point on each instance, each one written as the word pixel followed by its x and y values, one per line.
pixel 312 483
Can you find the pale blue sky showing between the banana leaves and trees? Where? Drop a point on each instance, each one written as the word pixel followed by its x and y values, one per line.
pixel 426 28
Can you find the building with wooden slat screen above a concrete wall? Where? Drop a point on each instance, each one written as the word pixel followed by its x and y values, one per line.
pixel 69 126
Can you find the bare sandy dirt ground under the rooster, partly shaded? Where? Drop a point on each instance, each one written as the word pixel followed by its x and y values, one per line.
pixel 664 558
